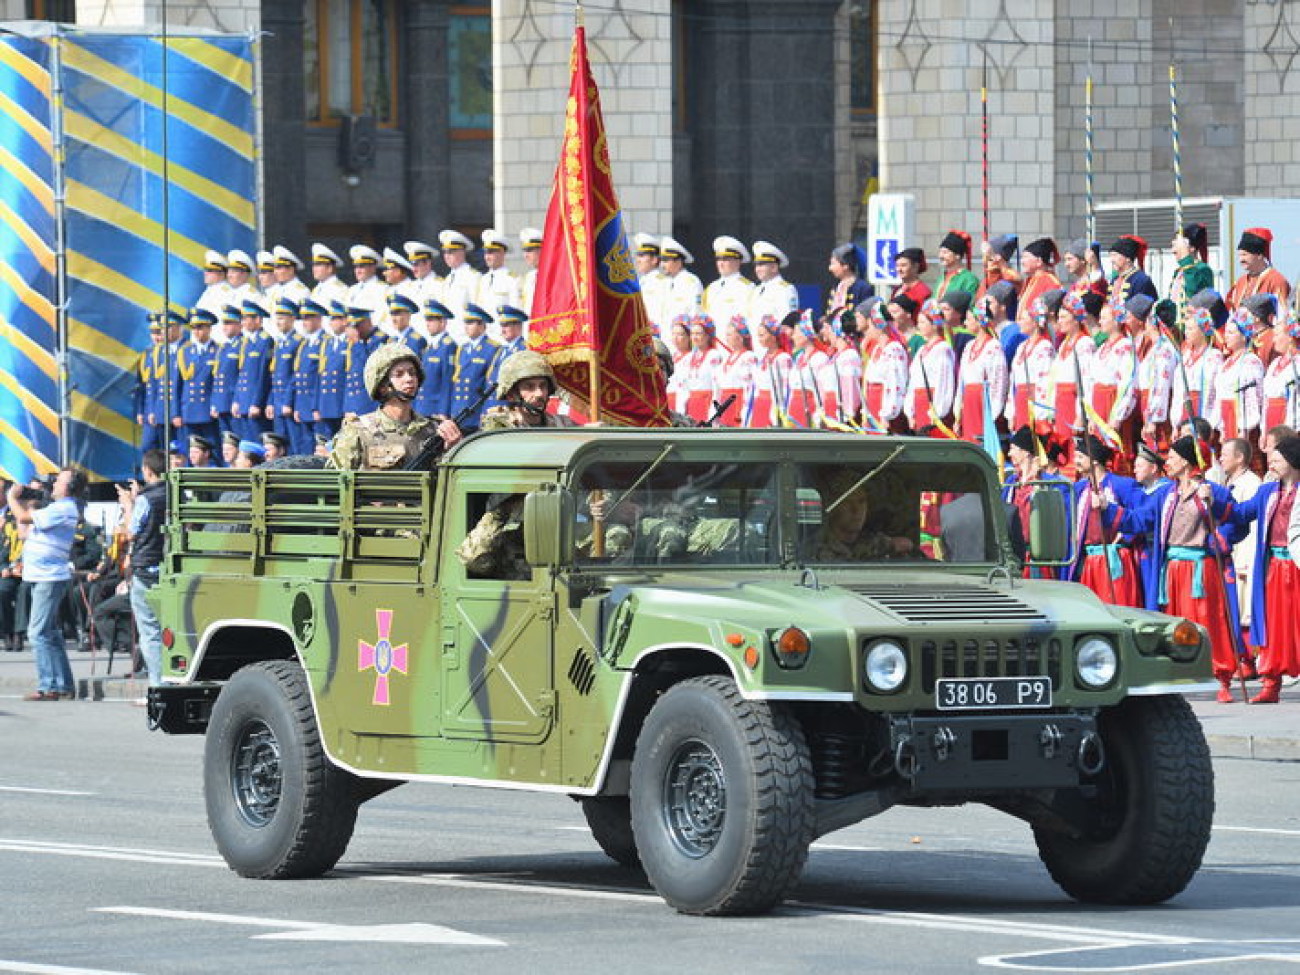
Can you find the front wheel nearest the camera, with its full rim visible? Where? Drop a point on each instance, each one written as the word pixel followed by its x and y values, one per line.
pixel 722 799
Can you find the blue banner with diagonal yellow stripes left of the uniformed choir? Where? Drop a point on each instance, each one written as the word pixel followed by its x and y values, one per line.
pixel 129 248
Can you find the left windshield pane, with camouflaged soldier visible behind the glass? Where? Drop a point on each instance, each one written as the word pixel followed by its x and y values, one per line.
pixel 682 514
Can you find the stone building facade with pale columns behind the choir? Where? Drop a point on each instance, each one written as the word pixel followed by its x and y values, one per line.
pixel 748 116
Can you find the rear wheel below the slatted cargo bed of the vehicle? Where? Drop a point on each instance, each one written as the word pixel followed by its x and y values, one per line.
pixel 278 807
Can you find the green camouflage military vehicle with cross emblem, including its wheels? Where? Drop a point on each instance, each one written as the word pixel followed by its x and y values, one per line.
pixel 725 644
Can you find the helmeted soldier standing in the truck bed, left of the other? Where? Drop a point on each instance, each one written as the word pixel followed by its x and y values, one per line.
pixel 391 437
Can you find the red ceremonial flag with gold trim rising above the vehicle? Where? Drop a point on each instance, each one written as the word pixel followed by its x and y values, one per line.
pixel 588 318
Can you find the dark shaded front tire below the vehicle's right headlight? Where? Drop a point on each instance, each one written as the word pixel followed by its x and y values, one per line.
pixel 1154 809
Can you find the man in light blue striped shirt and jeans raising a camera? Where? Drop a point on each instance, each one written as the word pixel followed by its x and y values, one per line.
pixel 49 540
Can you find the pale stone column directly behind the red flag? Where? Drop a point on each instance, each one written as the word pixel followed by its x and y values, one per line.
pixel 630 46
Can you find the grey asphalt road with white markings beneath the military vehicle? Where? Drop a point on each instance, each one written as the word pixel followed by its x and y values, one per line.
pixel 109 868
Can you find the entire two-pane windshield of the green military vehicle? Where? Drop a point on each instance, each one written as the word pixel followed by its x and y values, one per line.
pixel 842 514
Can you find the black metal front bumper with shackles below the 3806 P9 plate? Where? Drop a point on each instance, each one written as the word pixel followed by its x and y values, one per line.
pixel 980 753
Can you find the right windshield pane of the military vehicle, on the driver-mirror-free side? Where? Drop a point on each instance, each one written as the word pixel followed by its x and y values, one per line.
pixel 900 512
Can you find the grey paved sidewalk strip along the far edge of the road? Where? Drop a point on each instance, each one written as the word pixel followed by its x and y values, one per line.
pixel 1268 733
